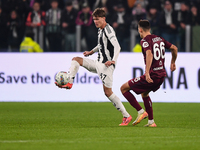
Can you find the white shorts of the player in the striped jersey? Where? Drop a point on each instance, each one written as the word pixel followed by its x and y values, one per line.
pixel 105 73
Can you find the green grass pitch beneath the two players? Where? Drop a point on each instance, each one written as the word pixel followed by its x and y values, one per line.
pixel 94 126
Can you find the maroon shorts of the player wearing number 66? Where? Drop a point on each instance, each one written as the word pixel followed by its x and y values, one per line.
pixel 140 85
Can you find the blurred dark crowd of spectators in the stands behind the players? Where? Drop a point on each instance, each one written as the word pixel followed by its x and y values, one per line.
pixel 52 23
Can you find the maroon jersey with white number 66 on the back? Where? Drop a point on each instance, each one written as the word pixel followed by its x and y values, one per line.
pixel 157 46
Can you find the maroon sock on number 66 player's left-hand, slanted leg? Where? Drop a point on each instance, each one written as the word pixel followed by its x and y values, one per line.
pixel 131 99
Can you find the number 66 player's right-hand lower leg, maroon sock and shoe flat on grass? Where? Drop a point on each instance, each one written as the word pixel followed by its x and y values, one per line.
pixel 148 106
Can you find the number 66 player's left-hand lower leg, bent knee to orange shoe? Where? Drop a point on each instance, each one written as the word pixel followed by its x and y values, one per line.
pixel 142 114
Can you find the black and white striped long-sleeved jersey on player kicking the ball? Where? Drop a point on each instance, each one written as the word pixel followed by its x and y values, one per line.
pixel 108 47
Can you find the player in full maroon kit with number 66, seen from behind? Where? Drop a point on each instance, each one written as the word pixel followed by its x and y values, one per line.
pixel 153 49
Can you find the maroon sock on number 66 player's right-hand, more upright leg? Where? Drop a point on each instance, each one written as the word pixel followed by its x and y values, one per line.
pixel 148 107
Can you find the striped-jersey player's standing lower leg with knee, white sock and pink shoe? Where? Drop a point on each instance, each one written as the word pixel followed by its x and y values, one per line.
pixel 118 105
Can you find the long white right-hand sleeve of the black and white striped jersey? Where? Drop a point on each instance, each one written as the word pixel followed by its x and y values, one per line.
pixel 110 33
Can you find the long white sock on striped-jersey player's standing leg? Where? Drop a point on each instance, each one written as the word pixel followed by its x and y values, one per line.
pixel 118 104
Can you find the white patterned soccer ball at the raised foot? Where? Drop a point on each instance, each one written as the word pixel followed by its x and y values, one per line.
pixel 62 78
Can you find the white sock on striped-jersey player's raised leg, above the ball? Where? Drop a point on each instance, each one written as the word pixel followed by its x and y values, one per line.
pixel 73 70
